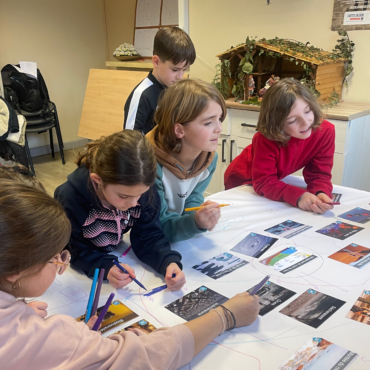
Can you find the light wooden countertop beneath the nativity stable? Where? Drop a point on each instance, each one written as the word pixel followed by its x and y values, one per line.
pixel 344 111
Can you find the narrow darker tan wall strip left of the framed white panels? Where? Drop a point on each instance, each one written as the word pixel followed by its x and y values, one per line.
pixel 120 19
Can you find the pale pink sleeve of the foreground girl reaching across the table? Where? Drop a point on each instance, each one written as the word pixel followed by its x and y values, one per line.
pixel 81 348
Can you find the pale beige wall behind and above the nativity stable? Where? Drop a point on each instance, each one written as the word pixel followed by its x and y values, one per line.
pixel 216 25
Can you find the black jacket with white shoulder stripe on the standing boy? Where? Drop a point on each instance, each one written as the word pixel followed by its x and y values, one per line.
pixel 142 104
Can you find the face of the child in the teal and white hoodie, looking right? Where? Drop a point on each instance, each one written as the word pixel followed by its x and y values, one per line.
pixel 203 133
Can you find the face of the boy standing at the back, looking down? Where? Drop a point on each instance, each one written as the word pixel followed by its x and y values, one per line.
pixel 166 72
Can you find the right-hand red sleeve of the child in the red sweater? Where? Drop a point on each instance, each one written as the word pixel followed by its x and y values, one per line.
pixel 317 173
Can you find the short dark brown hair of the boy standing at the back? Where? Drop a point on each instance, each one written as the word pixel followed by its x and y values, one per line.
pixel 175 45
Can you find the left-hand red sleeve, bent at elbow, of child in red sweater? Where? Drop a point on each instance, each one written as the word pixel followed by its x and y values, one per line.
pixel 264 173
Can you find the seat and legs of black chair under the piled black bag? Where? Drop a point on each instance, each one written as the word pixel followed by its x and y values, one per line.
pixel 39 122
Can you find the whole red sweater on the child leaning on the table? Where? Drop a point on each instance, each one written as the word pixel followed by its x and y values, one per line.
pixel 264 163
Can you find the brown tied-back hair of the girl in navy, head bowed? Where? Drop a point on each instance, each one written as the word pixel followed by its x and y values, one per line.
pixel 125 158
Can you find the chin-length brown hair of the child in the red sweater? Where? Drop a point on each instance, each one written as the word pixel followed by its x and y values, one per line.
pixel 277 104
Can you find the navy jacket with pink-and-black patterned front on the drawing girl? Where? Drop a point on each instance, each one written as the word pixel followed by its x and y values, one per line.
pixel 97 230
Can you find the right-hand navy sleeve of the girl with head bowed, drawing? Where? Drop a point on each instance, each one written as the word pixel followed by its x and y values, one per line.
pixel 147 238
